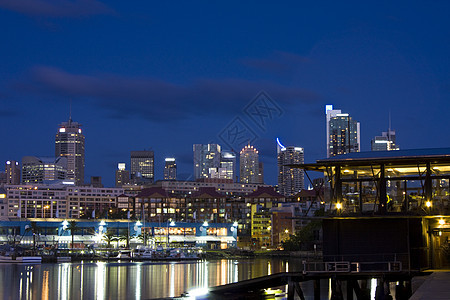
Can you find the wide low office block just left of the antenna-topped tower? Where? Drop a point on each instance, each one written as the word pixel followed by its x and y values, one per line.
pixel 43 169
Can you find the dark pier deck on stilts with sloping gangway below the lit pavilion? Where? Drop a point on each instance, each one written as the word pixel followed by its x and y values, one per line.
pixel 344 276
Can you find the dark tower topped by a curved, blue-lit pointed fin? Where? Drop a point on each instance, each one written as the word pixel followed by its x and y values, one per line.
pixel 290 180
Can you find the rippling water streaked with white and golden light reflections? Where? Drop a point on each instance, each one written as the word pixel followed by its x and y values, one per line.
pixel 128 280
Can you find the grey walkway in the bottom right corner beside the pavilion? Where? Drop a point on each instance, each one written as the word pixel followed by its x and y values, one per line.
pixel 435 286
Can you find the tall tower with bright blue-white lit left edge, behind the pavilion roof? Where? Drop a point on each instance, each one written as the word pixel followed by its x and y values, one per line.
pixel 343 134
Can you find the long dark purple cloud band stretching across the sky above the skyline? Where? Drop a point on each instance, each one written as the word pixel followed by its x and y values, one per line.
pixel 158 100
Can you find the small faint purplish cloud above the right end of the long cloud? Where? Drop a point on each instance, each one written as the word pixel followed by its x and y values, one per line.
pixel 280 63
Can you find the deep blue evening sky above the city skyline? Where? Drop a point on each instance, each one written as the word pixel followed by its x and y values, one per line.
pixel 167 75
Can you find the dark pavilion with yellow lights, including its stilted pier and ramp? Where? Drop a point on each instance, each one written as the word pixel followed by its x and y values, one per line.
pixel 387 217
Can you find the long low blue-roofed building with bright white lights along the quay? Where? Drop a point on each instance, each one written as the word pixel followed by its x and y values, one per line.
pixel 54 231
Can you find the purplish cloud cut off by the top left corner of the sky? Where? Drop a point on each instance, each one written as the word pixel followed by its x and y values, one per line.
pixel 56 8
